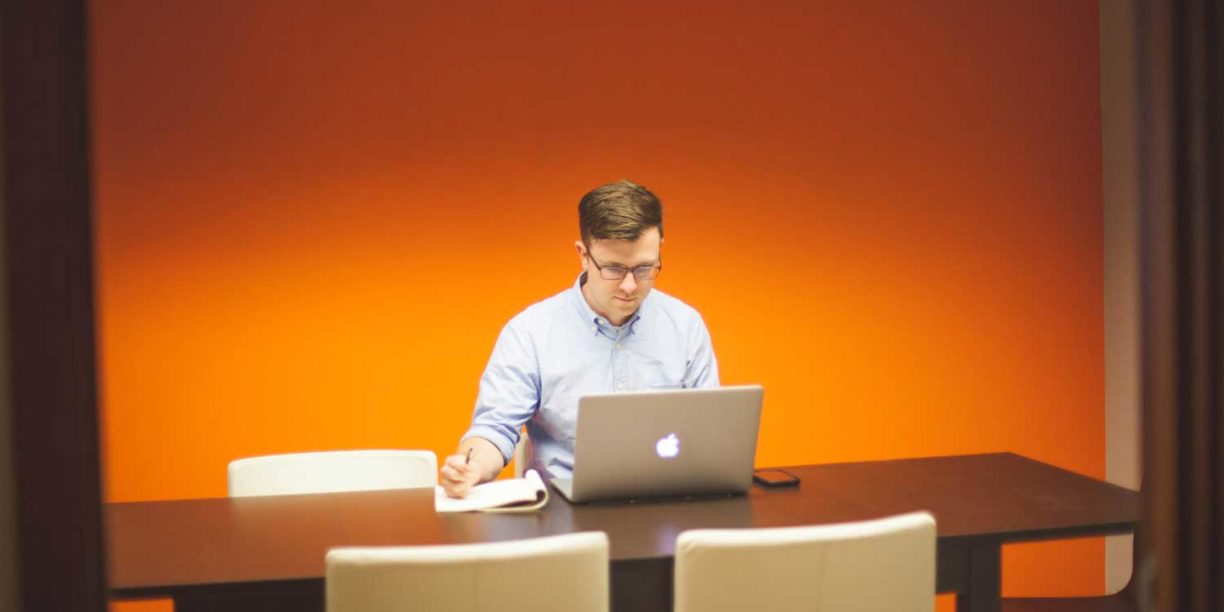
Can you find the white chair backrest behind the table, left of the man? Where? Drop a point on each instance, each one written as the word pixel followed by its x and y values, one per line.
pixel 332 472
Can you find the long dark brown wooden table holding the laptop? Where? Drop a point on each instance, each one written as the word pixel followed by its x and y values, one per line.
pixel 267 553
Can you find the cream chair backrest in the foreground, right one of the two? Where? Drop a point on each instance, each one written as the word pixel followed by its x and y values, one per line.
pixel 877 566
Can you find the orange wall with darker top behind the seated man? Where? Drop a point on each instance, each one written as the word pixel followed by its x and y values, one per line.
pixel 314 218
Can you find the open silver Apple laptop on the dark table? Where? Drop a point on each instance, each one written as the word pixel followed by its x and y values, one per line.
pixel 666 444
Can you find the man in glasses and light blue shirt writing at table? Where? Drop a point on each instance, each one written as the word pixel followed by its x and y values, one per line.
pixel 611 332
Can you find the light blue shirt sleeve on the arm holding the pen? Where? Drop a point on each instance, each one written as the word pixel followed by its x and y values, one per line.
pixel 510 391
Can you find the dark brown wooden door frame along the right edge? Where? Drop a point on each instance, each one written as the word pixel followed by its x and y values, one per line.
pixel 1182 90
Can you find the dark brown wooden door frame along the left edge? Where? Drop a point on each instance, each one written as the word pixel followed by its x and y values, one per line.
pixel 50 292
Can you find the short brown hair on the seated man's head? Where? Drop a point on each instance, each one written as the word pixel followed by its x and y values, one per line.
pixel 619 211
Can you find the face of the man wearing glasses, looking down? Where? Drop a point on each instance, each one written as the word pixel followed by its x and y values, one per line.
pixel 618 300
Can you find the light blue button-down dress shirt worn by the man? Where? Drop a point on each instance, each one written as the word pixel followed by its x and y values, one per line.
pixel 559 351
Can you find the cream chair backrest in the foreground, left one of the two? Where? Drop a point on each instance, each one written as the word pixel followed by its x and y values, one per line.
pixel 544 575
